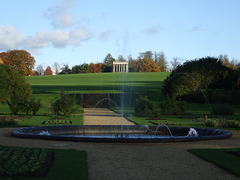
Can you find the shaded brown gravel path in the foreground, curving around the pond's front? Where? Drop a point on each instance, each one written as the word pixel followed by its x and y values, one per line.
pixel 113 161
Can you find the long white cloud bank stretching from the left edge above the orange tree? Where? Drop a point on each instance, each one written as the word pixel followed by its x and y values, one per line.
pixel 11 39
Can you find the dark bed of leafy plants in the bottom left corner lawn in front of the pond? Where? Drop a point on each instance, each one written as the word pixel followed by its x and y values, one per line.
pixel 25 162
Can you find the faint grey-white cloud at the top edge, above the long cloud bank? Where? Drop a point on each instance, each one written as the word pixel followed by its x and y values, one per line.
pixel 59 15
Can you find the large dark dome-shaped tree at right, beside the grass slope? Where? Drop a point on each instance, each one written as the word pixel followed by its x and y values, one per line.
pixel 196 75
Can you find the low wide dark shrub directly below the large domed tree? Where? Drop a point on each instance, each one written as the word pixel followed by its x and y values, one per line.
pixel 173 106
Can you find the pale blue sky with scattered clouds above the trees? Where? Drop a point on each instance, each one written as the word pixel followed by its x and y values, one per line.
pixel 83 31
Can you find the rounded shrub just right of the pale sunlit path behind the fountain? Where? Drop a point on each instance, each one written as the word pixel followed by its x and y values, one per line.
pixel 144 106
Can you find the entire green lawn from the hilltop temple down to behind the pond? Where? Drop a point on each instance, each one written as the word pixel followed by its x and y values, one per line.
pixel 123 88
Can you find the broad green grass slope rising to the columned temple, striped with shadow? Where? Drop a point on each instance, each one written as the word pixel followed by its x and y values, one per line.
pixel 99 83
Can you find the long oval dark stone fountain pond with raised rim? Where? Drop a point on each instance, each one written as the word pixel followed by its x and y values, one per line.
pixel 68 133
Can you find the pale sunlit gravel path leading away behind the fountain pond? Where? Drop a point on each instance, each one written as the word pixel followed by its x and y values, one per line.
pixel 103 116
